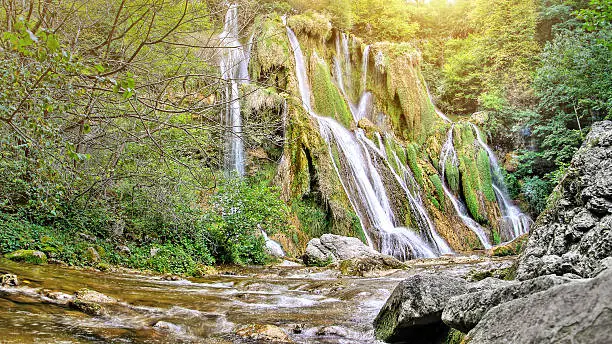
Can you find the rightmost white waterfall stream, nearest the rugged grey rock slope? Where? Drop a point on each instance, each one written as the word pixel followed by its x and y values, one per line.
pixel 511 214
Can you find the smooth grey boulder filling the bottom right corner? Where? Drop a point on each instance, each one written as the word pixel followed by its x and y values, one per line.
pixel 575 312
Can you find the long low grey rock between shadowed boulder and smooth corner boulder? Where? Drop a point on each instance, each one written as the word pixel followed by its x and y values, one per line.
pixel 463 312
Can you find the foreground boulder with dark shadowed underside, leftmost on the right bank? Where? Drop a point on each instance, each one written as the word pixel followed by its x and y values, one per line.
pixel 413 311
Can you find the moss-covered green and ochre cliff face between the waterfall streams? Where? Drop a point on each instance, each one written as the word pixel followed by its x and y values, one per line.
pixel 381 82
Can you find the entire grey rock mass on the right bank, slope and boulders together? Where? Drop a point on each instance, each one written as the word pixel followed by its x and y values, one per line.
pixel 564 275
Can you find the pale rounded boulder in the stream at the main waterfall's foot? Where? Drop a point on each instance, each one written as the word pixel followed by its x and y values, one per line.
pixel 331 248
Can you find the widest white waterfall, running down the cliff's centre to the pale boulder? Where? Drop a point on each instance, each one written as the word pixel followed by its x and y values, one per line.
pixel 359 176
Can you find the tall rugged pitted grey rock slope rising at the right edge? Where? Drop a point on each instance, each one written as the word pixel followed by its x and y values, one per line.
pixel 574 234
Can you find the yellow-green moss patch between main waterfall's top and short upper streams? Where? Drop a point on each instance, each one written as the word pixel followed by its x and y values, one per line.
pixel 328 100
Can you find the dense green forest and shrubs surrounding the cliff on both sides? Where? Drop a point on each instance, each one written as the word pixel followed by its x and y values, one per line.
pixel 110 115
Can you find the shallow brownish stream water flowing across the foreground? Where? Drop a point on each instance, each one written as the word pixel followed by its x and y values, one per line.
pixel 205 310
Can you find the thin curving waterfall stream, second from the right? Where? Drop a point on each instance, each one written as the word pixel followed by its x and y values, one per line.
pixel 448 151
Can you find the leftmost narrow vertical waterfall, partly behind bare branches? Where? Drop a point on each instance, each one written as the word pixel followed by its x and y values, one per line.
pixel 234 70
